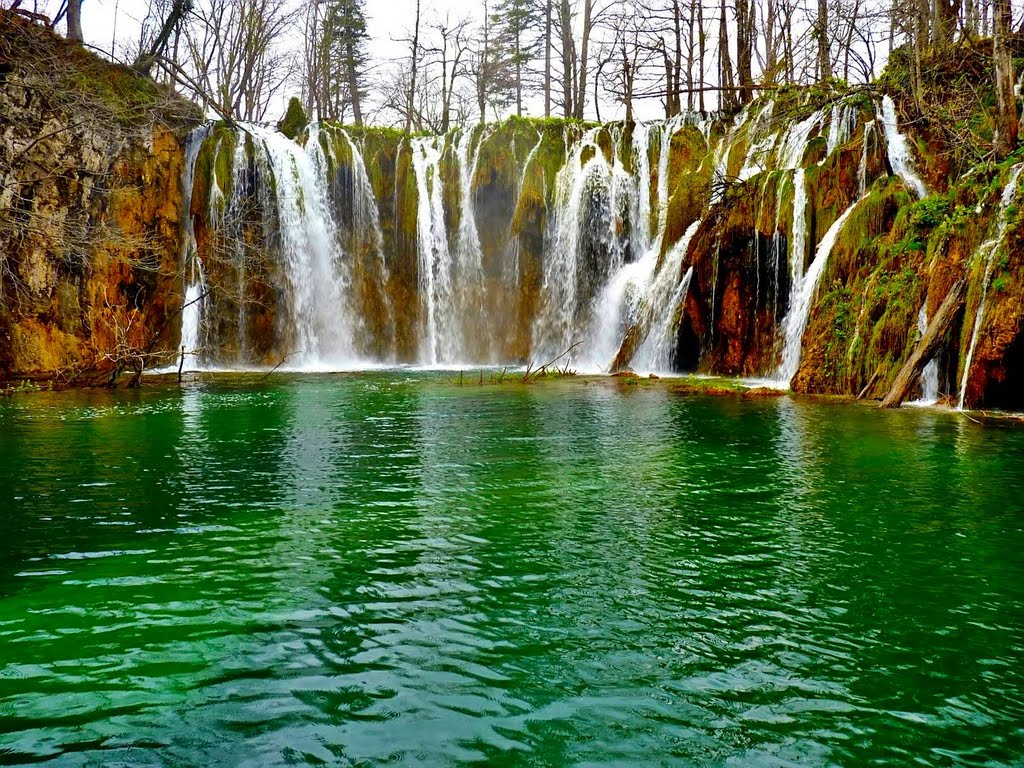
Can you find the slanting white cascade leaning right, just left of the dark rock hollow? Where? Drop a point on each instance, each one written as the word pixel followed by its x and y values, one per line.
pixel 664 301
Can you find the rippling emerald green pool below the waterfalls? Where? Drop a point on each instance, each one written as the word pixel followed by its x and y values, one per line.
pixel 387 570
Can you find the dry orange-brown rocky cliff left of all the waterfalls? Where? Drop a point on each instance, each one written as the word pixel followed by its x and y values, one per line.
pixel 91 165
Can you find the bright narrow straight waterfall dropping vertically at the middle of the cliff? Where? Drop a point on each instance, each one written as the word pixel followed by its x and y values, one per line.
pixel 435 259
